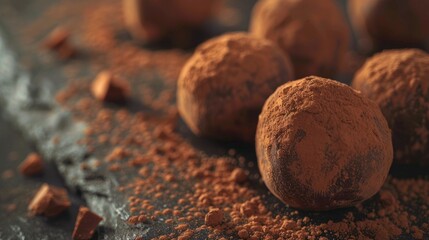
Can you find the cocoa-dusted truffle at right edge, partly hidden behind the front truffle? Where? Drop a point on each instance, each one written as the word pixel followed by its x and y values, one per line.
pixel 398 81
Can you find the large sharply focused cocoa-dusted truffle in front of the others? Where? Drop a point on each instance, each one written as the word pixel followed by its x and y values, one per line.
pixel 322 145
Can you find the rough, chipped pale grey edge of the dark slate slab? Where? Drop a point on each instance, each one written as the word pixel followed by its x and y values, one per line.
pixel 29 104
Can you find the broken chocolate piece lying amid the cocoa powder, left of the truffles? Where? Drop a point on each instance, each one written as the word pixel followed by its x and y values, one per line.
pixel 109 88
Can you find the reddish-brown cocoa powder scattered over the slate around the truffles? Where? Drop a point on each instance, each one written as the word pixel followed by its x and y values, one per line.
pixel 166 179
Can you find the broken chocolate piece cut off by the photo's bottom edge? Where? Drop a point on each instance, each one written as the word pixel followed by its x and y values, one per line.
pixel 86 223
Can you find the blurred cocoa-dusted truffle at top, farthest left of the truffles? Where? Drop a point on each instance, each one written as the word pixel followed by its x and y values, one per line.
pixel 151 20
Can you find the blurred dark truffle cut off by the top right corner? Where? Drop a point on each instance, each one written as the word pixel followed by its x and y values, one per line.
pixel 390 23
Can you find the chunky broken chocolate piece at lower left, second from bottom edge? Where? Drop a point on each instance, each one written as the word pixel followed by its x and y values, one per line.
pixel 49 201
